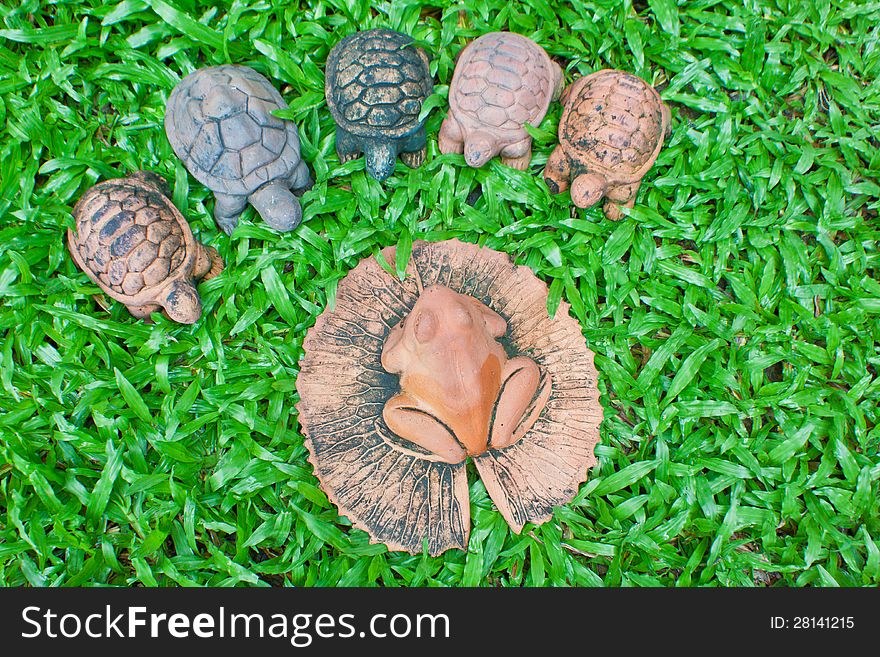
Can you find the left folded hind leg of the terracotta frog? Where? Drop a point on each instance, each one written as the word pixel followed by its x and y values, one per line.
pixel 410 419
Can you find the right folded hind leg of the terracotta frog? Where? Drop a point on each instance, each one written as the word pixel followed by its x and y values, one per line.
pixel 520 379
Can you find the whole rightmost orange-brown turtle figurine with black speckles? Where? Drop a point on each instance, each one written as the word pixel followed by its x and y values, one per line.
pixel 612 128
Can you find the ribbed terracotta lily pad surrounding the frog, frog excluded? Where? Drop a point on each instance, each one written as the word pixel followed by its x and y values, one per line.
pixel 405 499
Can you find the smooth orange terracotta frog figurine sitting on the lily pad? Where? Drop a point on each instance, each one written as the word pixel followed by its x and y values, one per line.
pixel 460 393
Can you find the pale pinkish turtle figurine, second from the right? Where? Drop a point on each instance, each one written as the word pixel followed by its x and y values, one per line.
pixel 501 82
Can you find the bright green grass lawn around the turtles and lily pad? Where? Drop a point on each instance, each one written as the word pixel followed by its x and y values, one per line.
pixel 734 313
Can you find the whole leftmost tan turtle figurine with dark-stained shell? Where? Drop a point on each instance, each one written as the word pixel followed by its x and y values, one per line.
pixel 137 247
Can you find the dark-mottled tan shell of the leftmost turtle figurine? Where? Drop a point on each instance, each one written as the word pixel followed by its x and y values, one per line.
pixel 130 239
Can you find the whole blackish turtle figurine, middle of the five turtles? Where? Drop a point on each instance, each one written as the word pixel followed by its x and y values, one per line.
pixel 376 82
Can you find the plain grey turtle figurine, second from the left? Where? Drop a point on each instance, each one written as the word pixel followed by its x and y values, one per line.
pixel 219 122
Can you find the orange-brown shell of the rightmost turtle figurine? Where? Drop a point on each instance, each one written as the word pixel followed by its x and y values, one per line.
pixel 613 123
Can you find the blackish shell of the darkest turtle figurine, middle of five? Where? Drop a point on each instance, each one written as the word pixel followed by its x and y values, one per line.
pixel 376 83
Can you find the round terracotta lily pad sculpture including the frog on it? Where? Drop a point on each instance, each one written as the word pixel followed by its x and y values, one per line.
pixel 404 381
